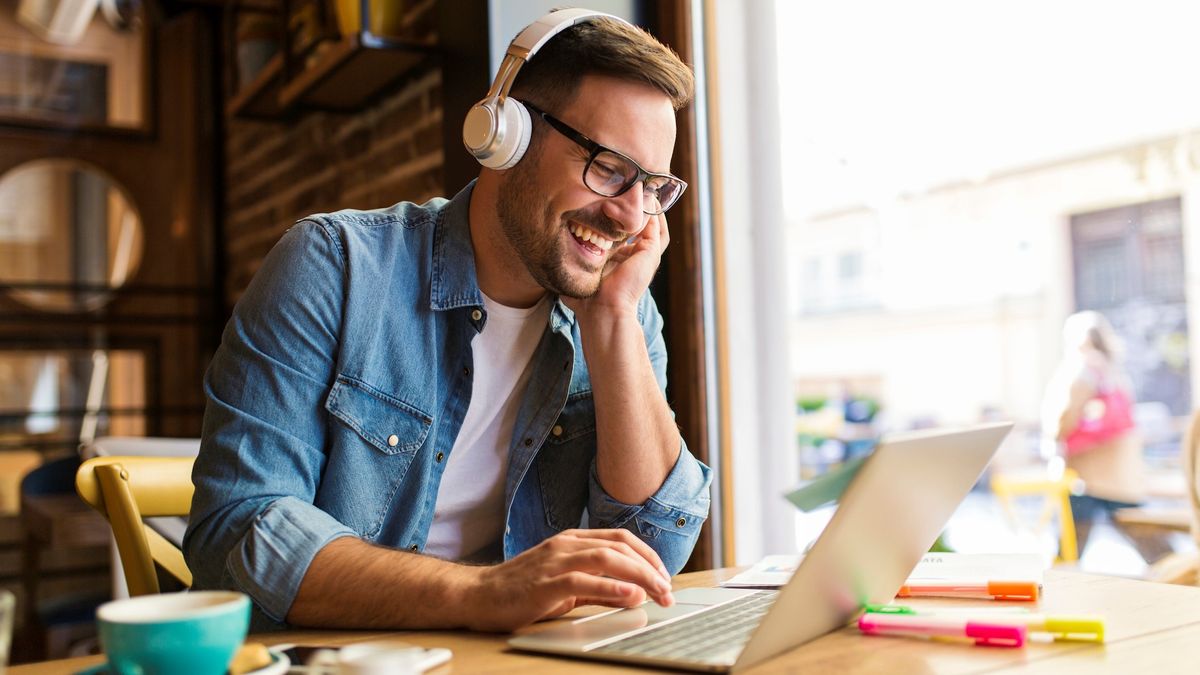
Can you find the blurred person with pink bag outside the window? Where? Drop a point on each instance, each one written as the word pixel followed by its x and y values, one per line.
pixel 1088 413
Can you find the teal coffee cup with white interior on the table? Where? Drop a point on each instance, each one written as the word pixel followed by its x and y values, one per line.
pixel 190 634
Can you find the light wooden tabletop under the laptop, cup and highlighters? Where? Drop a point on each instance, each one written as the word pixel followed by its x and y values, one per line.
pixel 1151 629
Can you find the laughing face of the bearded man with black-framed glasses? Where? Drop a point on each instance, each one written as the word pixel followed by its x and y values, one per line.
pixel 562 231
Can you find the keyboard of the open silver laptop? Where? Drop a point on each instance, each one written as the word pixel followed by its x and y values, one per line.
pixel 712 636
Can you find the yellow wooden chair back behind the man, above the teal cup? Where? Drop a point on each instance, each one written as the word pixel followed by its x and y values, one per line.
pixel 127 489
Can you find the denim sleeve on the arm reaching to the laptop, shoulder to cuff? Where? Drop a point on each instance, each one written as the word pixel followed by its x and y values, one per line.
pixel 254 525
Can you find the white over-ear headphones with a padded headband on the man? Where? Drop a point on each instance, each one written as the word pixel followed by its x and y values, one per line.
pixel 497 129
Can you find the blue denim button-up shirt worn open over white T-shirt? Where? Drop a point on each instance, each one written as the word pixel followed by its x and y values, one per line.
pixel 339 390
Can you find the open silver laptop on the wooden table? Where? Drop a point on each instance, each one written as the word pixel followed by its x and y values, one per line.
pixel 887 519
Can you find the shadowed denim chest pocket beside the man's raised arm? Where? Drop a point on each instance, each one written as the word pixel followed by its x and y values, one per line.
pixel 566 461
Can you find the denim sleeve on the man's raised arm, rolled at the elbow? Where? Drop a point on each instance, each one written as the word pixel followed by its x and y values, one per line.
pixel 671 519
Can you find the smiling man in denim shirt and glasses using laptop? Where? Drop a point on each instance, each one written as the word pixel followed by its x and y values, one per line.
pixel 413 409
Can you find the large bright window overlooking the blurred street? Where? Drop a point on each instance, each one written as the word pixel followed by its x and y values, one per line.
pixel 953 175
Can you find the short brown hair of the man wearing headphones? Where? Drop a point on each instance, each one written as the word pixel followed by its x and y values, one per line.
pixel 602 46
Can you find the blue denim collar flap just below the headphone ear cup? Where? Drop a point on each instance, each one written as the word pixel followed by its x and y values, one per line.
pixel 454 284
